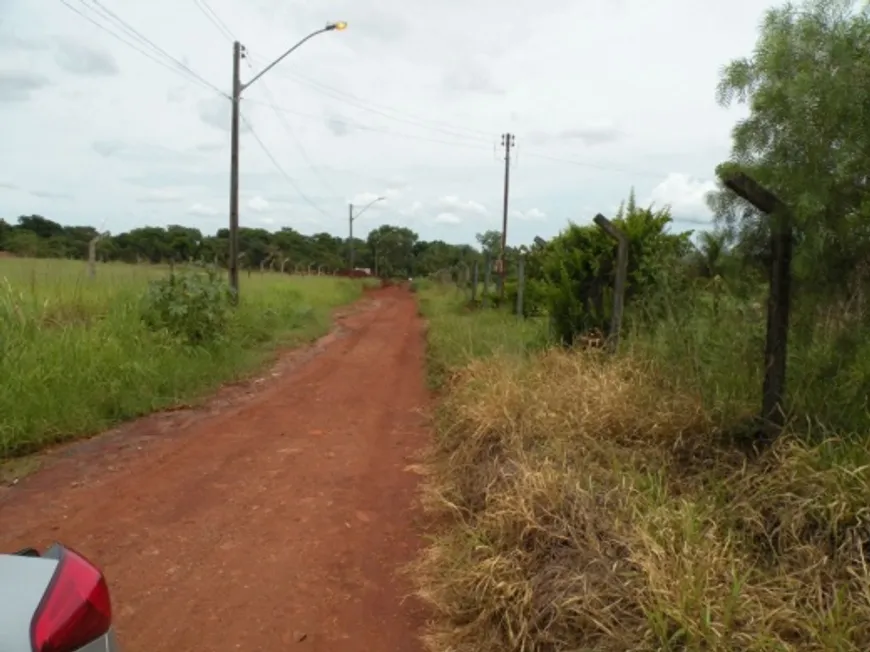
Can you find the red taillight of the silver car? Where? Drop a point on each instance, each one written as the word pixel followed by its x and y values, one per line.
pixel 75 609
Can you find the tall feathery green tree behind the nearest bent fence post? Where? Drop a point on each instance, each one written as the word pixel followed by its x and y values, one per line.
pixel 807 87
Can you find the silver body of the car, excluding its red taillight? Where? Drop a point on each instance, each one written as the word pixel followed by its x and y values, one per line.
pixel 23 582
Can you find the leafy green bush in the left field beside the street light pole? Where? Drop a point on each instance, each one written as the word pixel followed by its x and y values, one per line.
pixel 194 307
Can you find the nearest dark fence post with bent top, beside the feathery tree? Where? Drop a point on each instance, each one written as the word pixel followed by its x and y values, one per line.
pixel 779 297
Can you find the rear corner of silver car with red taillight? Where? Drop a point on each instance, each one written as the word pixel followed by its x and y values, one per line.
pixel 55 601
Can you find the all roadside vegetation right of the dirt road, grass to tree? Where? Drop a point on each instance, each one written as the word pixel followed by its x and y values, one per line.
pixel 587 501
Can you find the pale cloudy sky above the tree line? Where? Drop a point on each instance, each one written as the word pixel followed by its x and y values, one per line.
pixel 408 103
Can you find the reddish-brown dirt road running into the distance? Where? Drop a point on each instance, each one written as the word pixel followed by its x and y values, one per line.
pixel 275 519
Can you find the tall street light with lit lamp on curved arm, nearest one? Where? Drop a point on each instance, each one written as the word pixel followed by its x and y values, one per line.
pixel 238 87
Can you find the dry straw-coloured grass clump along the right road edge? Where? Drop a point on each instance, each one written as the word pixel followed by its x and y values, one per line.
pixel 590 508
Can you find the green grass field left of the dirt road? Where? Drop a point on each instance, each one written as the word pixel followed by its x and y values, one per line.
pixel 75 356
